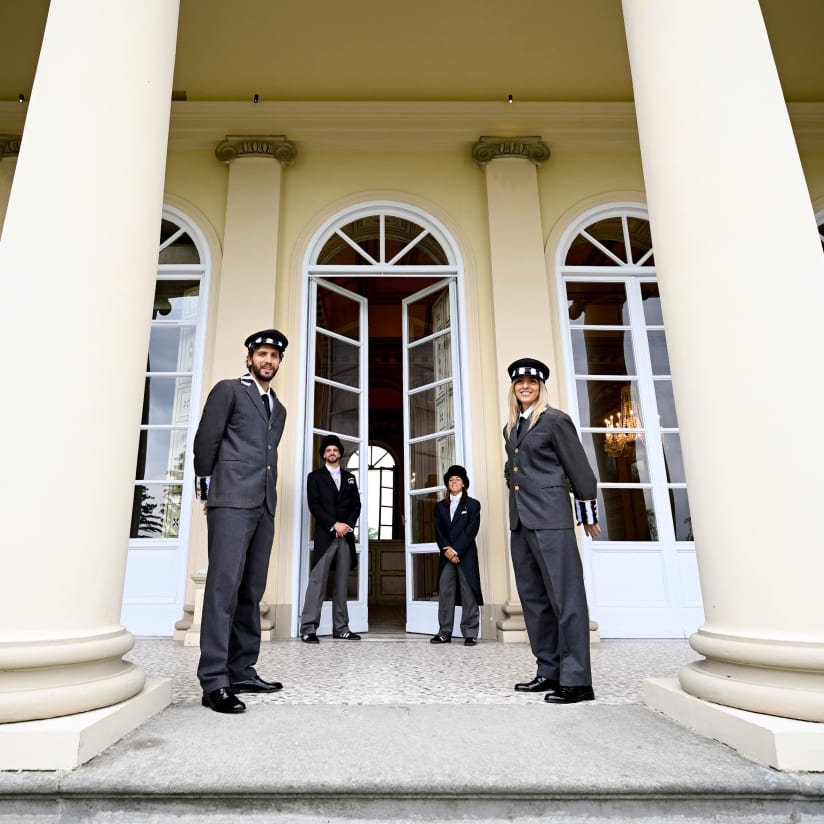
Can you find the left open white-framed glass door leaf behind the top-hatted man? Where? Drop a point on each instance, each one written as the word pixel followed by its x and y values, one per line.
pixel 337 385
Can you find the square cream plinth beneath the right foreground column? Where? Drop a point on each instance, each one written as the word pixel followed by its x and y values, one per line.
pixel 781 743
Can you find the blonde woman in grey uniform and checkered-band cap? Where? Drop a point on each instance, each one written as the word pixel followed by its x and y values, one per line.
pixel 545 457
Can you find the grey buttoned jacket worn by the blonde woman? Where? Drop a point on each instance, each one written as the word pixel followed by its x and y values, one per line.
pixel 540 461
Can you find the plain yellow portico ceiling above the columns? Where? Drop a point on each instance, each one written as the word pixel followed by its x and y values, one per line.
pixel 429 50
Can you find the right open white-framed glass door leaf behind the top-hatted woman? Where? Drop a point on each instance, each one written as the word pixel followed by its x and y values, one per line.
pixel 431 409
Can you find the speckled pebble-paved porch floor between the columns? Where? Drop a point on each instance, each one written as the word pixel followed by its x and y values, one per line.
pixel 407 669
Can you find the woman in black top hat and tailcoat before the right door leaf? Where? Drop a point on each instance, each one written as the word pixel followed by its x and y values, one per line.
pixel 457 520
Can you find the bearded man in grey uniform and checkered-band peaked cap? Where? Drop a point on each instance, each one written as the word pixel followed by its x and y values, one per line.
pixel 236 462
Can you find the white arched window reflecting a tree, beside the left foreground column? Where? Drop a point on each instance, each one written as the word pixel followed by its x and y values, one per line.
pixel 161 510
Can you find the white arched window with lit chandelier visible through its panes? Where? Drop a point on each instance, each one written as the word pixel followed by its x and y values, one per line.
pixel 621 394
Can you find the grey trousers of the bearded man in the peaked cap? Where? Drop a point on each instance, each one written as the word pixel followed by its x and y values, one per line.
pixel 240 543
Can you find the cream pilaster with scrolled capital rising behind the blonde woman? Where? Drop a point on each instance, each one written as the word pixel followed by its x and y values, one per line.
pixel 519 283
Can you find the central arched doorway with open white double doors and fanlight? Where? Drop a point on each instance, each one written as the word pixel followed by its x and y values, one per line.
pixel 384 375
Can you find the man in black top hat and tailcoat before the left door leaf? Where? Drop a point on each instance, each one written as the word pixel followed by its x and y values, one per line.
pixel 333 498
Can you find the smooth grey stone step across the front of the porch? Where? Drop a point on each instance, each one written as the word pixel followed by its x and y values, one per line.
pixel 347 764
